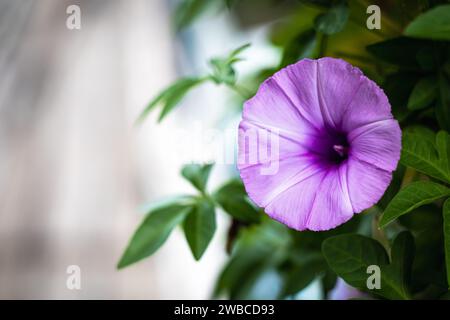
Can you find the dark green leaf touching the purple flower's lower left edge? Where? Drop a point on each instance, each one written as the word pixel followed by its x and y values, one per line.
pixel 234 200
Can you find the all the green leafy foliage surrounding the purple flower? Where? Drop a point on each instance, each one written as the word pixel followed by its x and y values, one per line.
pixel 407 233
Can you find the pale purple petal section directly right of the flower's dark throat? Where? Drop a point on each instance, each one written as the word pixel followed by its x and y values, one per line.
pixel 377 143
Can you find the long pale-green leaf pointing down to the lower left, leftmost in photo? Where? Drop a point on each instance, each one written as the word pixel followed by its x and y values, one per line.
pixel 152 233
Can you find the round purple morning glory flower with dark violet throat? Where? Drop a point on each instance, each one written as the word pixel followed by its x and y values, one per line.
pixel 335 149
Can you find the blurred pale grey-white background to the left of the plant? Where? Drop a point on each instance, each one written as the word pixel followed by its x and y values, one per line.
pixel 74 169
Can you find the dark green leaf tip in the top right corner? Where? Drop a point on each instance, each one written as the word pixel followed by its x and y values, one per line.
pixel 433 24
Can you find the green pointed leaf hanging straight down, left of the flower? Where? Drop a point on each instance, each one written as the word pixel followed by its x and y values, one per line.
pixel 199 227
